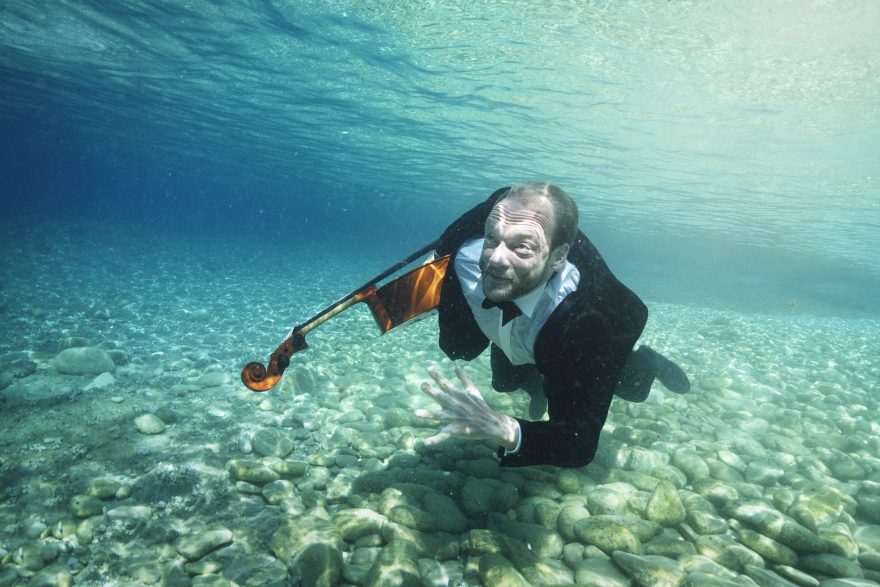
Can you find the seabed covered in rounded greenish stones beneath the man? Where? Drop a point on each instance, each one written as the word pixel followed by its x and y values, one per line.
pixel 767 473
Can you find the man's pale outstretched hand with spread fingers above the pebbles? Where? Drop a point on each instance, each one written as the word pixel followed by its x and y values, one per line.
pixel 466 413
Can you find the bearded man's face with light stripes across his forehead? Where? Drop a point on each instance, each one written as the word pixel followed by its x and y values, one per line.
pixel 516 255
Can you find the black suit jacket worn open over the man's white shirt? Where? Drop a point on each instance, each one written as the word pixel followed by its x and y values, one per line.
pixel 580 351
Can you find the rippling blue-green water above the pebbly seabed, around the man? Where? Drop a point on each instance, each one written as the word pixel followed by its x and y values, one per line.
pixel 720 154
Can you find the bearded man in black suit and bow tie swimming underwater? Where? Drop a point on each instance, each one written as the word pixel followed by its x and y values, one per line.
pixel 524 279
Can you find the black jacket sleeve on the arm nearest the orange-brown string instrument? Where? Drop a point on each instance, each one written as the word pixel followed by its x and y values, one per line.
pixel 460 336
